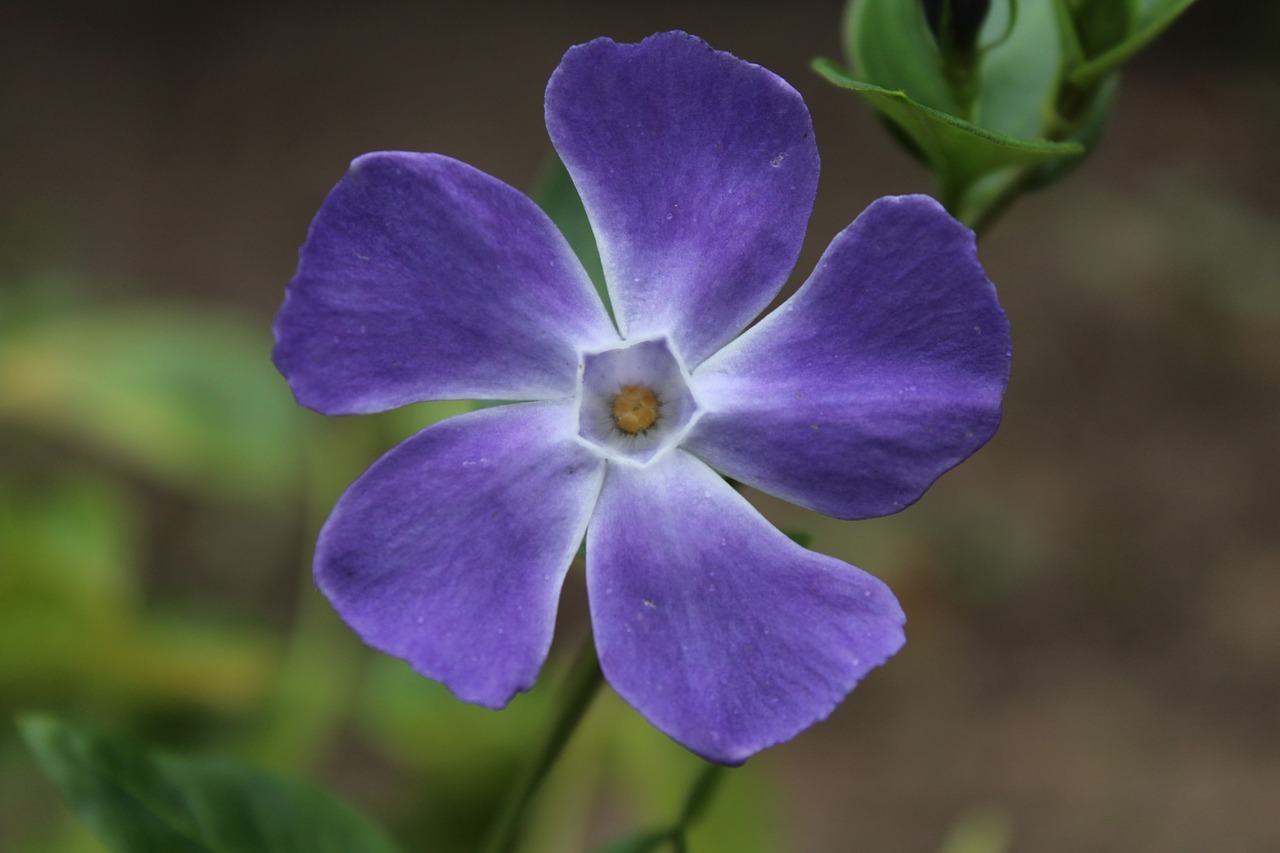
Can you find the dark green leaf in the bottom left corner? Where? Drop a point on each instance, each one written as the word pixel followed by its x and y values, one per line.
pixel 140 801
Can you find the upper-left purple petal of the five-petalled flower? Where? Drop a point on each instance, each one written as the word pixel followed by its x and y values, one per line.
pixel 424 279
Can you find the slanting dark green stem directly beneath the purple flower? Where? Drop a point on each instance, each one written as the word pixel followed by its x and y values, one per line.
pixel 577 692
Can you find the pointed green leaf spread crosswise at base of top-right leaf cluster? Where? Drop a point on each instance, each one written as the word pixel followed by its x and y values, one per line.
pixel 958 152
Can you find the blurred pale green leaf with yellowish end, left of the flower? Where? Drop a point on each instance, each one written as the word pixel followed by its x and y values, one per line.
pixel 189 396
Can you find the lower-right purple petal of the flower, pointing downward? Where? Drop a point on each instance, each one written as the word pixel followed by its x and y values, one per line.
pixel 716 627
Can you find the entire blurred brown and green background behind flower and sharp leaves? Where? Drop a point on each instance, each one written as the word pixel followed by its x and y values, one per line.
pixel 1094 658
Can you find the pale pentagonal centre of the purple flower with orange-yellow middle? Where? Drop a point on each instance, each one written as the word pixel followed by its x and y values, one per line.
pixel 636 402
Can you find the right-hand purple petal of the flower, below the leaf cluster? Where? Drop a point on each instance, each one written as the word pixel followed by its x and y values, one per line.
pixel 883 372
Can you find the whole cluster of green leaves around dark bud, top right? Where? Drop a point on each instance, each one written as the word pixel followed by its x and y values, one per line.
pixel 1014 112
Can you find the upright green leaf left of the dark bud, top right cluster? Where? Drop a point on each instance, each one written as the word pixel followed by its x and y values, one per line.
pixel 889 44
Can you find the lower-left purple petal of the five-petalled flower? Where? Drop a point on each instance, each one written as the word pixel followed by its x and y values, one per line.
pixel 450 553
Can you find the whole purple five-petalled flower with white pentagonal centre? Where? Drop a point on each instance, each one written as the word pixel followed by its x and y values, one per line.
pixel 423 279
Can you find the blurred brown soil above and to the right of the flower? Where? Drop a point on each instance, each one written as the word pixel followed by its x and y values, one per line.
pixel 1095 644
